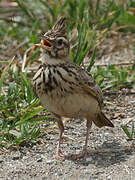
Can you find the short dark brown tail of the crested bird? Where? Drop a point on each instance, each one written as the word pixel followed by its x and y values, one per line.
pixel 102 120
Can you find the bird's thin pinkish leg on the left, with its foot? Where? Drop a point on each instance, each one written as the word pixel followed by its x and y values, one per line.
pixel 61 127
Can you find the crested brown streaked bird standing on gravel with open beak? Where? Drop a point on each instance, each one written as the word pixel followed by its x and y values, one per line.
pixel 66 89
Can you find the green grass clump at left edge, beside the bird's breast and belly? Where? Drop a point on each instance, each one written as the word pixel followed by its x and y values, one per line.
pixel 19 120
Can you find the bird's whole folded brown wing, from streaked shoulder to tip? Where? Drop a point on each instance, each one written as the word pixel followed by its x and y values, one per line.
pixel 83 81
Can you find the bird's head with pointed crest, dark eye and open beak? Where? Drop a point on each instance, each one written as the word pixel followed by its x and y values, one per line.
pixel 55 43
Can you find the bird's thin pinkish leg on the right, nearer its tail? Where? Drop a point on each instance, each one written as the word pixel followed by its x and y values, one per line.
pixel 85 149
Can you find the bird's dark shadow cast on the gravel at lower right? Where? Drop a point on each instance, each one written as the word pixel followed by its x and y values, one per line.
pixel 106 155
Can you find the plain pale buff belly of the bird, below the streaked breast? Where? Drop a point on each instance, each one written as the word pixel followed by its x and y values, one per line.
pixel 72 105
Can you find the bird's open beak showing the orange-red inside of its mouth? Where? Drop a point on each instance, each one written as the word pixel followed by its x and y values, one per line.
pixel 46 43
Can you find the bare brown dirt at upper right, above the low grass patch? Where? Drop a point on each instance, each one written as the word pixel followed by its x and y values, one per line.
pixel 115 48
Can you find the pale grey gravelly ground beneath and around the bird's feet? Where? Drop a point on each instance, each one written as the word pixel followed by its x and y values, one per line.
pixel 111 156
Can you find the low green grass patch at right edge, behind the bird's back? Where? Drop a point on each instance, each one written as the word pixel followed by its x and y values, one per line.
pixel 114 79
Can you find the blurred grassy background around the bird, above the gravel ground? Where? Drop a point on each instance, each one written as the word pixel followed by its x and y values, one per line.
pixel 90 24
